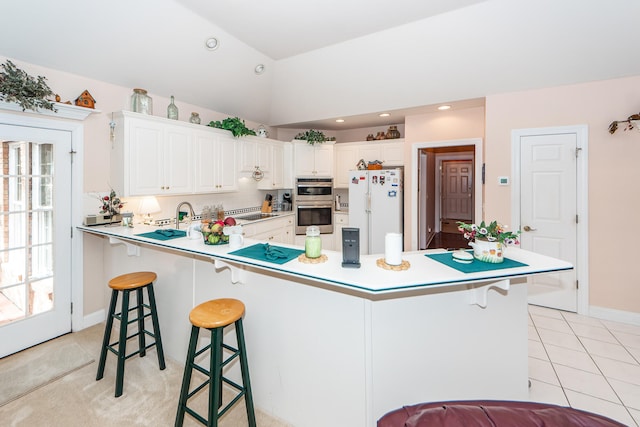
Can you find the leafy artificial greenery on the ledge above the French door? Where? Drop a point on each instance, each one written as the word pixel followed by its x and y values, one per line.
pixel 27 91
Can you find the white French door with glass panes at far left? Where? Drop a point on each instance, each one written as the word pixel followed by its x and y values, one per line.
pixel 35 244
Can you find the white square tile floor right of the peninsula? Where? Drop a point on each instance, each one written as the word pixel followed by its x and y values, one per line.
pixel 585 363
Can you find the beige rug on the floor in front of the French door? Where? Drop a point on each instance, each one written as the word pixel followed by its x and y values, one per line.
pixel 25 372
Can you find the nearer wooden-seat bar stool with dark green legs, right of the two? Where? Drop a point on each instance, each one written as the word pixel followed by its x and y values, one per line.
pixel 214 315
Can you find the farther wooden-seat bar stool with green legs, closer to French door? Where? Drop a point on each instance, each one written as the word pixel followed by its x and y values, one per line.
pixel 127 283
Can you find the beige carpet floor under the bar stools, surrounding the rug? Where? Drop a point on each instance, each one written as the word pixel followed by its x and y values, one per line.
pixel 150 396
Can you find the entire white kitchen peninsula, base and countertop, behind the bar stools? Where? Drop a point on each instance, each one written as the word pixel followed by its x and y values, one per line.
pixel 335 346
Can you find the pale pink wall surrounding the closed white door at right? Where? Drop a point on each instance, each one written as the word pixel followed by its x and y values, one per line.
pixel 613 173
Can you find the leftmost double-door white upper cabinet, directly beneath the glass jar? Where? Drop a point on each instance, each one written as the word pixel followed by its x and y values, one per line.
pixel 149 157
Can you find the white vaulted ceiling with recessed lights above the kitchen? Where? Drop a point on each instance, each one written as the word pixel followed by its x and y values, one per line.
pixel 326 59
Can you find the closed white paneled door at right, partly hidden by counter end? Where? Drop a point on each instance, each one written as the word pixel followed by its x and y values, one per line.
pixel 549 212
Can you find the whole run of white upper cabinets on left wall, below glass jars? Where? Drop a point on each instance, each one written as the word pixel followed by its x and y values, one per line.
pixel 157 156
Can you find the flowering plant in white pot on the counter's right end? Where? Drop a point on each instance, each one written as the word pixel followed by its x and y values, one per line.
pixel 488 241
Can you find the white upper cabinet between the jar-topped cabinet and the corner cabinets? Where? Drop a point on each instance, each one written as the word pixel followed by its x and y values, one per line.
pixel 215 163
